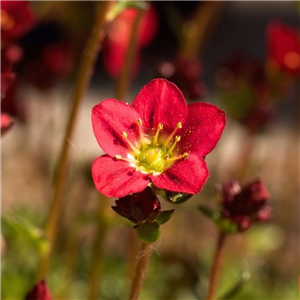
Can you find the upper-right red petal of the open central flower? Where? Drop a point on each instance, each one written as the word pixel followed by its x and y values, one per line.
pixel 203 128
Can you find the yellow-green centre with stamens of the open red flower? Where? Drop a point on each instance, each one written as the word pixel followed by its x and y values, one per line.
pixel 153 156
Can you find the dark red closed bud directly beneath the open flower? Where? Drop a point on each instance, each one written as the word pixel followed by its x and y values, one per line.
pixel 139 207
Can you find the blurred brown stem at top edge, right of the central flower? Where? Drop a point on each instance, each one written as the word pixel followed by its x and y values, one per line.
pixel 197 29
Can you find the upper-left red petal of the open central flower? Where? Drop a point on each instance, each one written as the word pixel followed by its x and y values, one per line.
pixel 110 119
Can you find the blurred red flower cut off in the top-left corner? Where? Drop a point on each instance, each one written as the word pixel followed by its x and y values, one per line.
pixel 16 19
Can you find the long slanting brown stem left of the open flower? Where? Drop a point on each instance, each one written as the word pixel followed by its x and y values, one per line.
pixel 83 78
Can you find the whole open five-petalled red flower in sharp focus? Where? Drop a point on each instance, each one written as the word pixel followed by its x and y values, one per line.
pixel 157 139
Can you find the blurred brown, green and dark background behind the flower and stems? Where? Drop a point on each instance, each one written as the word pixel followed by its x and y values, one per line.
pixel 232 65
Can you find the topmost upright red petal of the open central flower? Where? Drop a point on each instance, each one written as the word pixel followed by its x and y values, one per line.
pixel 160 101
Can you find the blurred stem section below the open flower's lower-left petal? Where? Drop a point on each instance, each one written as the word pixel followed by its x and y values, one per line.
pixel 97 251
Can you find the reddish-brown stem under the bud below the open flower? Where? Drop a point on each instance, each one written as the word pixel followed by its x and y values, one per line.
pixel 140 271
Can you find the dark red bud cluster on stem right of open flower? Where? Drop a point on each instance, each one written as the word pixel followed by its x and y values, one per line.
pixel 245 205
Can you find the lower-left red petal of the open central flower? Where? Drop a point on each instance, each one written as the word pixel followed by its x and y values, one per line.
pixel 115 178
